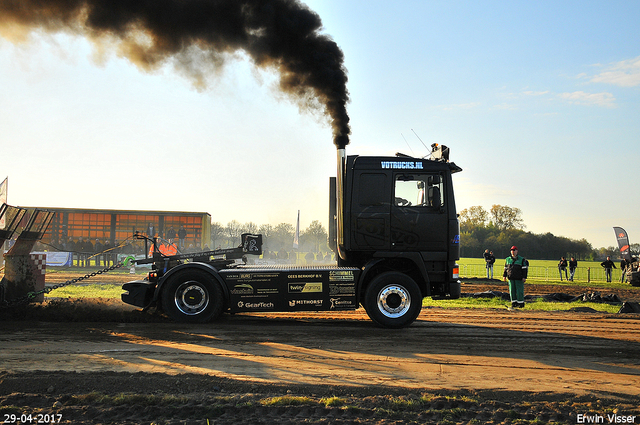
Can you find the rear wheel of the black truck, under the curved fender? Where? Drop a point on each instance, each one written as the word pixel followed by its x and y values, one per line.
pixel 192 296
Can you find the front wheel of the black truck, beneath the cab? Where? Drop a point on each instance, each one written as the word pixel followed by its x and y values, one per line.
pixel 393 300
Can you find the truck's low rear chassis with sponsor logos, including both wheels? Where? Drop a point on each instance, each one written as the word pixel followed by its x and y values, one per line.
pixel 199 287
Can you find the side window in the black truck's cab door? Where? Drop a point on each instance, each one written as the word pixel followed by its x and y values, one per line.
pixel 418 190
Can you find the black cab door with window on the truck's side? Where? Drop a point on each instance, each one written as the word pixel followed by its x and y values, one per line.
pixel 419 213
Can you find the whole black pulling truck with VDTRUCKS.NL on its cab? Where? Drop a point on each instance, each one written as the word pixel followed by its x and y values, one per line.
pixel 393 227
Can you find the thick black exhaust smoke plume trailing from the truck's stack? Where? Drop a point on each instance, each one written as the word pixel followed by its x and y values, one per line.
pixel 198 35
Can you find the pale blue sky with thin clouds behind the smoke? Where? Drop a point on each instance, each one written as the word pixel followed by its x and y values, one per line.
pixel 539 103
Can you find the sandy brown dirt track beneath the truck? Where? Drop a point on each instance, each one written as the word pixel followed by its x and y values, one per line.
pixel 102 361
